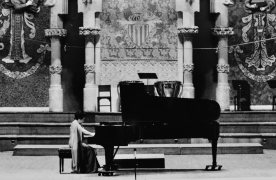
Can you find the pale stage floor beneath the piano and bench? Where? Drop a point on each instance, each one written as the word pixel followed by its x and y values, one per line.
pixel 235 167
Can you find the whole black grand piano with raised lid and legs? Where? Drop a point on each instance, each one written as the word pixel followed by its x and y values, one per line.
pixel 152 117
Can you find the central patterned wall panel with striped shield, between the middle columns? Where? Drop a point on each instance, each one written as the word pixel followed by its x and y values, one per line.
pixel 138 36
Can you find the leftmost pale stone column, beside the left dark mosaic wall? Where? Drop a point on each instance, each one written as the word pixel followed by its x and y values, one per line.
pixel 56 32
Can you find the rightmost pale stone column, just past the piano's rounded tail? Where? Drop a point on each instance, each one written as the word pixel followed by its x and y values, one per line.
pixel 222 31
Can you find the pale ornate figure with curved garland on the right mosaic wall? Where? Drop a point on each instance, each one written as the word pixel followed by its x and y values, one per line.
pixel 255 56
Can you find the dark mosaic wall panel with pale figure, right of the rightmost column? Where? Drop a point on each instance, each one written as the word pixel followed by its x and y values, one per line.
pixel 253 50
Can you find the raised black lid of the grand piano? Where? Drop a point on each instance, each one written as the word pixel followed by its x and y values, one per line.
pixel 138 106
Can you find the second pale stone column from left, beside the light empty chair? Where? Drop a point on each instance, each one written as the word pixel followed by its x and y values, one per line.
pixel 91 30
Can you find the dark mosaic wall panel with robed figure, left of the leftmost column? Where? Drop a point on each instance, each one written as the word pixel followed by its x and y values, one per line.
pixel 24 61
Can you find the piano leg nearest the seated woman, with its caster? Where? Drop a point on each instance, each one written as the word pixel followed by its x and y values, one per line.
pixel 108 169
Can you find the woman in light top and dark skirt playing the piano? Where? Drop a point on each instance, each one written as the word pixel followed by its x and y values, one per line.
pixel 84 158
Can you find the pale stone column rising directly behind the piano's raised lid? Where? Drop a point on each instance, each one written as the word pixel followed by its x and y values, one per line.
pixel 186 29
